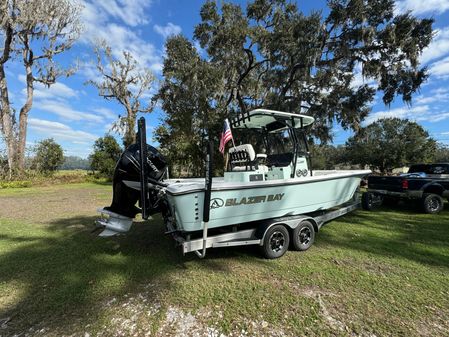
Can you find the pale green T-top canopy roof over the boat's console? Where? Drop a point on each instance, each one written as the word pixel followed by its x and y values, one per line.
pixel 271 120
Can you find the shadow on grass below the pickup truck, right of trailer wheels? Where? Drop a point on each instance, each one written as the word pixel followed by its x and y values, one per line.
pixel 396 231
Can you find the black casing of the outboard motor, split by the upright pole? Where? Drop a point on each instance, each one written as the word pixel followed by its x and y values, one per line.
pixel 128 168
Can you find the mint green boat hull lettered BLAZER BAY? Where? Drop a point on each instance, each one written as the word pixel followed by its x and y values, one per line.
pixel 233 203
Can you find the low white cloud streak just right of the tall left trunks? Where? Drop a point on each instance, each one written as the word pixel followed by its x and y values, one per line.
pixel 58 131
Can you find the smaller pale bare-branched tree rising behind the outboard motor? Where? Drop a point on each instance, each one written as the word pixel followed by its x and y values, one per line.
pixel 127 83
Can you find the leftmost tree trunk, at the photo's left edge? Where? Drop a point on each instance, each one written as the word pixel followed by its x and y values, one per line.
pixel 7 122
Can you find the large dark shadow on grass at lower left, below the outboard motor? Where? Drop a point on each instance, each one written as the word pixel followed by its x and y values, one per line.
pixel 64 274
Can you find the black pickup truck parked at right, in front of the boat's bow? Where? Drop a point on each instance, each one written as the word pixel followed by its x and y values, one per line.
pixel 426 183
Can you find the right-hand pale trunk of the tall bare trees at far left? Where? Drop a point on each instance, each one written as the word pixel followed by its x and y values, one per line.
pixel 23 119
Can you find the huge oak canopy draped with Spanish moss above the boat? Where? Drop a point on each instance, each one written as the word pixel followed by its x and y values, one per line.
pixel 275 56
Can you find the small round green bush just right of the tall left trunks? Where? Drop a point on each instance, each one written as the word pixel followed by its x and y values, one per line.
pixel 49 156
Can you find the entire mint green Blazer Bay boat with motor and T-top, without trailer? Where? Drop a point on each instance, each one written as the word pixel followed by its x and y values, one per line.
pixel 268 178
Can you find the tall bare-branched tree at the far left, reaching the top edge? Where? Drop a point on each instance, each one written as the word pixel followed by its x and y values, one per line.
pixel 33 33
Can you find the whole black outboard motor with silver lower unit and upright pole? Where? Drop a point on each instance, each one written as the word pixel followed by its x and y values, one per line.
pixel 136 178
